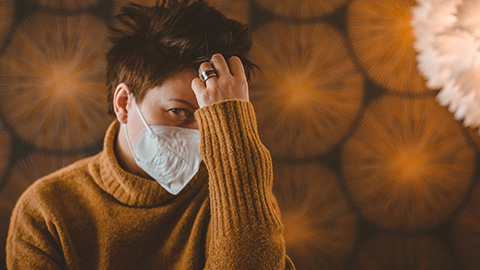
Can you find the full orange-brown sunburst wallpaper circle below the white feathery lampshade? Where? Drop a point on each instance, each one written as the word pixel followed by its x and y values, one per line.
pixel 407 166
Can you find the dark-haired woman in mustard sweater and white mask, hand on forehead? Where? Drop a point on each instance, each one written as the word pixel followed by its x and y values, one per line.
pixel 183 181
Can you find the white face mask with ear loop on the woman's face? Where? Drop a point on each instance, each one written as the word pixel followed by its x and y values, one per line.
pixel 169 154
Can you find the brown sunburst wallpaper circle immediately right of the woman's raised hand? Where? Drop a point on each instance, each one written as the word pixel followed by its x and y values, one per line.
pixel 308 92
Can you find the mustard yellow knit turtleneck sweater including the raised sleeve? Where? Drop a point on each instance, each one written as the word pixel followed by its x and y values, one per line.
pixel 95 215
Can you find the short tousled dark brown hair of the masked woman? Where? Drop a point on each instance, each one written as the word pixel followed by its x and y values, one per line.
pixel 151 44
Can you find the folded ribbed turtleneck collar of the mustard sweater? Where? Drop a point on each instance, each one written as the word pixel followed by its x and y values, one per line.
pixel 131 189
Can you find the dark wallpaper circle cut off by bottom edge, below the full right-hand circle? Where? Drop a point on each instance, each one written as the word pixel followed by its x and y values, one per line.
pixel 396 253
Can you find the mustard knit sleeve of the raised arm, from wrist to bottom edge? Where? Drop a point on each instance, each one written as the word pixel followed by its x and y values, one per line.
pixel 245 231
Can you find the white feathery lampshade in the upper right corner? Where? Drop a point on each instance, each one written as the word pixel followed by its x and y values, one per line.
pixel 447 39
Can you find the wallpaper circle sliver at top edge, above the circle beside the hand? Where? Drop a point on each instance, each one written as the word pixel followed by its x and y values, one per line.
pixel 304 9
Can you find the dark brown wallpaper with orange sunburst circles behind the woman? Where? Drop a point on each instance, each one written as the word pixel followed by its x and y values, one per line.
pixel 370 171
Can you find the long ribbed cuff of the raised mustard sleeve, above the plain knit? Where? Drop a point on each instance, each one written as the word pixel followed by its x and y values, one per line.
pixel 239 165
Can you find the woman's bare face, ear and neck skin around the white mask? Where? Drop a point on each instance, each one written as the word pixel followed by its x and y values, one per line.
pixel 171 104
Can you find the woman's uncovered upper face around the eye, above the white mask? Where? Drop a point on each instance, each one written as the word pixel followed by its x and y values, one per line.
pixel 171 104
